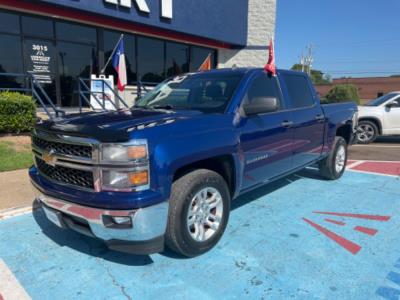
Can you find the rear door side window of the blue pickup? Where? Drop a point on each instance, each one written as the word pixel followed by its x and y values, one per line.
pixel 299 91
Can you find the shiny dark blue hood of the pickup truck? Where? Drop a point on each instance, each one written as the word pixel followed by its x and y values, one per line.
pixel 113 126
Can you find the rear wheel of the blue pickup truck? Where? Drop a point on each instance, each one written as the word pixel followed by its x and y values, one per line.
pixel 334 165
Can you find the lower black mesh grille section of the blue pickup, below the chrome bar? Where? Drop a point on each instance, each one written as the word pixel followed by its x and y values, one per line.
pixel 66 175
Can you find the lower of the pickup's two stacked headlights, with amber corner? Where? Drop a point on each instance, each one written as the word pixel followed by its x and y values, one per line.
pixel 115 180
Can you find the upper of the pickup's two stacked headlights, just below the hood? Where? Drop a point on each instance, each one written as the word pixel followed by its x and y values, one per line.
pixel 137 150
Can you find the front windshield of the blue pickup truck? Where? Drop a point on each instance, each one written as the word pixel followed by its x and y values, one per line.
pixel 209 93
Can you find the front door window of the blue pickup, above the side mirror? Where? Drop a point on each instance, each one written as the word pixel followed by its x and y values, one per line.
pixel 263 86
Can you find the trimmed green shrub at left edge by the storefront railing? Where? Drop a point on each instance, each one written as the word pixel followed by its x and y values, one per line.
pixel 17 112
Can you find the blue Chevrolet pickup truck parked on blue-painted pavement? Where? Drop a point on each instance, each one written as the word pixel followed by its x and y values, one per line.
pixel 165 171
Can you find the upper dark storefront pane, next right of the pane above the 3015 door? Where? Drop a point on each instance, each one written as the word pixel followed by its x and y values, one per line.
pixel 76 33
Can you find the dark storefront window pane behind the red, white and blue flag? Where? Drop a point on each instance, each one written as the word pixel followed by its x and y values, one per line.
pixel 110 40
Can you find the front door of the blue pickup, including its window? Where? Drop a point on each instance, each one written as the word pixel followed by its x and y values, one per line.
pixel 266 144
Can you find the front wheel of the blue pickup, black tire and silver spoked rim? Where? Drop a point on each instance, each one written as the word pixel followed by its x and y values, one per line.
pixel 190 191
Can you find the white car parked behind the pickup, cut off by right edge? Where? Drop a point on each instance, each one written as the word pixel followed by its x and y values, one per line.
pixel 379 117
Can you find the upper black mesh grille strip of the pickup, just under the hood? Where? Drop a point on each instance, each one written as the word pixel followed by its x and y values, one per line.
pixel 63 148
